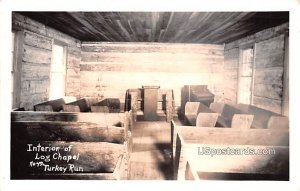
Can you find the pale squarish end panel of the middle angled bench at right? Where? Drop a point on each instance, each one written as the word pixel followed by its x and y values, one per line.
pixel 242 121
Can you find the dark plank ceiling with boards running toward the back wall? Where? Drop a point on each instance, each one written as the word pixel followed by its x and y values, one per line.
pixel 170 27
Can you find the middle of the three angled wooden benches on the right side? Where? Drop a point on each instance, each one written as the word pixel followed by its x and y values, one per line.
pixel 232 117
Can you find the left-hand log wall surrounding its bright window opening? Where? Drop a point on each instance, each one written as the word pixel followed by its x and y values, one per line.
pixel 35 43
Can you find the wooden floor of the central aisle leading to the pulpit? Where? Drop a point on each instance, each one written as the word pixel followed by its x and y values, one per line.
pixel 151 156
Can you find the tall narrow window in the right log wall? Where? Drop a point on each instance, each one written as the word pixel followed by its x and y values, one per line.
pixel 245 78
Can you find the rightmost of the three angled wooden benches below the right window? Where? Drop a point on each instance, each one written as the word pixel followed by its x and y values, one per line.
pixel 263 118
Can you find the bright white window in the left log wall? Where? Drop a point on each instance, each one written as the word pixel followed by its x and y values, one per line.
pixel 58 71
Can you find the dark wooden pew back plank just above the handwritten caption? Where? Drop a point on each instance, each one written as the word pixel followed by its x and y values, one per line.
pixel 67 131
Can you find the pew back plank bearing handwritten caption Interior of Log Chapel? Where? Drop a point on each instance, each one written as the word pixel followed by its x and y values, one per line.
pixel 88 157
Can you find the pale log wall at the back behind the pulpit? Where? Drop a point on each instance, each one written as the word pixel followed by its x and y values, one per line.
pixel 122 66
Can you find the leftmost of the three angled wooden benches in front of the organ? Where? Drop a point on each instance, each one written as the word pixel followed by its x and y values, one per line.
pixel 192 111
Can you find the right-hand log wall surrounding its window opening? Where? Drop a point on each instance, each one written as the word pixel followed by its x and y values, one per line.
pixel 268 68
